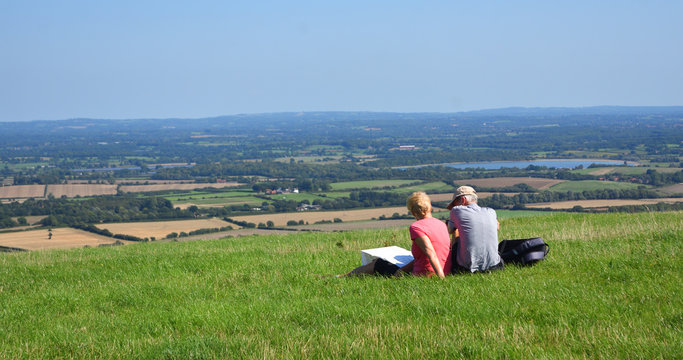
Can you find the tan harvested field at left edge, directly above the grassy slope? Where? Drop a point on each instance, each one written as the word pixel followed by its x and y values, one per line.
pixel 62 238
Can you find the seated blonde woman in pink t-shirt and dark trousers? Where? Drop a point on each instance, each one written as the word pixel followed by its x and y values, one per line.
pixel 431 245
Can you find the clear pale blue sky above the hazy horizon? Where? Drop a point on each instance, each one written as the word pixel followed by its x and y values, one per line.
pixel 155 59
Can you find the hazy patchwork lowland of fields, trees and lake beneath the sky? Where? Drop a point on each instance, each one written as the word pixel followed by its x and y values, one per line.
pixel 287 170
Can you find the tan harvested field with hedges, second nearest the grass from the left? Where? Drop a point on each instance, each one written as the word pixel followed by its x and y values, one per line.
pixel 159 229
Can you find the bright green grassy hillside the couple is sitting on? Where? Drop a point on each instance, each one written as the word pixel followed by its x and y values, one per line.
pixel 610 288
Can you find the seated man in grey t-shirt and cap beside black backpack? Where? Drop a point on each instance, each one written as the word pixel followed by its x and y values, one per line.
pixel 475 233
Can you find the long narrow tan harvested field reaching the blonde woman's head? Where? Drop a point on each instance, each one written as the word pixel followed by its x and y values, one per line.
pixel 280 219
